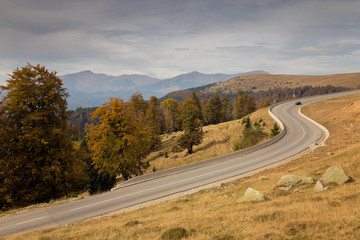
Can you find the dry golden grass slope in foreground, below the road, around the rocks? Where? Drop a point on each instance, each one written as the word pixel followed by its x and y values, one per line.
pixel 214 214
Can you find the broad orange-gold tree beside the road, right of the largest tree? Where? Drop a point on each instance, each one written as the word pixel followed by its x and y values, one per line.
pixel 119 142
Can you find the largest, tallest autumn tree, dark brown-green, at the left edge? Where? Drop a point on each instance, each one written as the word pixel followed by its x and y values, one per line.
pixel 37 159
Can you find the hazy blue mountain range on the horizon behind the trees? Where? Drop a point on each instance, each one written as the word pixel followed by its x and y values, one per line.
pixel 88 89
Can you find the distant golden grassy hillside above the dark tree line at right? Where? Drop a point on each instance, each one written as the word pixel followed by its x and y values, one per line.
pixel 266 81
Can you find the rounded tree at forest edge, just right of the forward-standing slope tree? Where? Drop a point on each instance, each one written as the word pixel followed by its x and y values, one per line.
pixel 213 112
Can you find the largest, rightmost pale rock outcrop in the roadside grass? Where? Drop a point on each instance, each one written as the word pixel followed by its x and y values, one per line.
pixel 333 175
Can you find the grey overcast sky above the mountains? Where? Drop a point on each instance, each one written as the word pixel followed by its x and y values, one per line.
pixel 163 38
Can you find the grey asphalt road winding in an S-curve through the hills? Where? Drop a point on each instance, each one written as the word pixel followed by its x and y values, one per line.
pixel 298 135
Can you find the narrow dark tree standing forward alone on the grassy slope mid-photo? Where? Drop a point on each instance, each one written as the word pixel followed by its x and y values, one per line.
pixel 192 123
